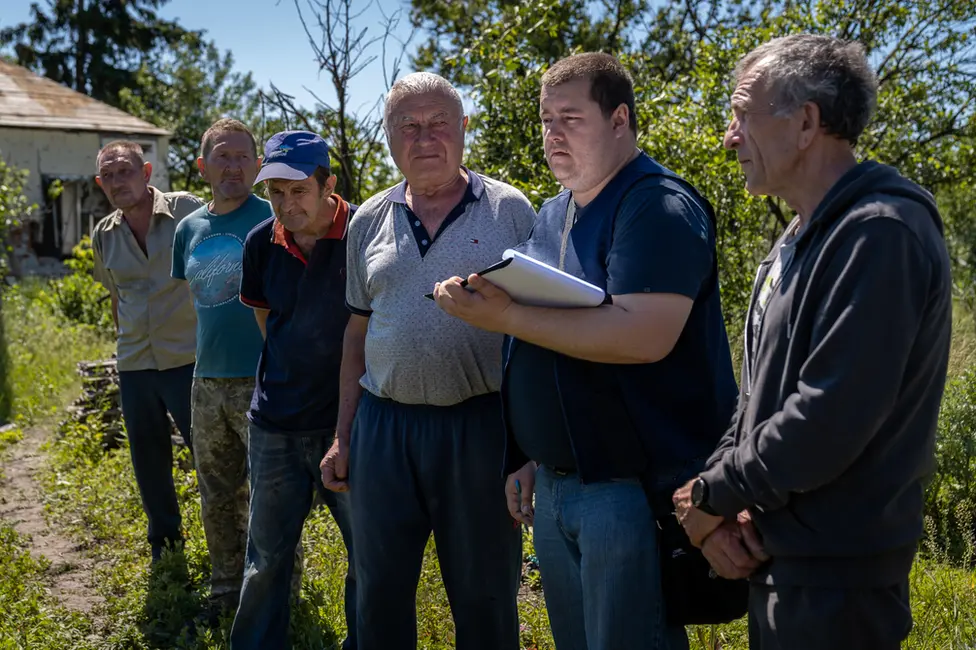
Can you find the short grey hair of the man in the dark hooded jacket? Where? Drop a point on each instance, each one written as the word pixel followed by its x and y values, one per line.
pixel 832 73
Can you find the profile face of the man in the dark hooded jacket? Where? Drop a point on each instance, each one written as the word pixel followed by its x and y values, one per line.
pixel 765 144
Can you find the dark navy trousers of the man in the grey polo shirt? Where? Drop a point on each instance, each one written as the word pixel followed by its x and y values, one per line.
pixel 417 469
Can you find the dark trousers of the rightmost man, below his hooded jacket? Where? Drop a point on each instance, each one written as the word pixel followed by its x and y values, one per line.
pixel 822 618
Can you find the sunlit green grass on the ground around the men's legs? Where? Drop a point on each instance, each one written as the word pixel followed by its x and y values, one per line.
pixel 91 496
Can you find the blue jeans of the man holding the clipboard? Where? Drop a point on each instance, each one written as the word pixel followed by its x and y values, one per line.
pixel 598 555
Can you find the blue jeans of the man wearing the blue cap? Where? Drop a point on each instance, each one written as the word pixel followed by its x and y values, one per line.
pixel 284 473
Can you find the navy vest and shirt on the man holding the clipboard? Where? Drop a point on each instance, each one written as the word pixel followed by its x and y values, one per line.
pixel 646 232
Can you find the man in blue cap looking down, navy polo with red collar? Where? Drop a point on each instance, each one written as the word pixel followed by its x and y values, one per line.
pixel 295 280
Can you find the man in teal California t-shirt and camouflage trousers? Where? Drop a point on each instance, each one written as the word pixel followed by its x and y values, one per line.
pixel 208 252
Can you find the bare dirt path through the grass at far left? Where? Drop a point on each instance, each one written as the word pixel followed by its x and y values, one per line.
pixel 70 572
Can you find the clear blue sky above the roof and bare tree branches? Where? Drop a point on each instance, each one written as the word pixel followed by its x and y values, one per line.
pixel 267 39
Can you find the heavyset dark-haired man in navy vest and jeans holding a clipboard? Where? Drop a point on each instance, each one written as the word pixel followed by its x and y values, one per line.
pixel 617 403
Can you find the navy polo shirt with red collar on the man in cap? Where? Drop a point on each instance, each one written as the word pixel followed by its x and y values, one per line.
pixel 297 384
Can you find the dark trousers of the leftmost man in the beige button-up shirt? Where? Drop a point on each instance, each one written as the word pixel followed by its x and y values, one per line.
pixel 146 396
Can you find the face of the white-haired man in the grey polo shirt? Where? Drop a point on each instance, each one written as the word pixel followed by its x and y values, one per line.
pixel 426 136
